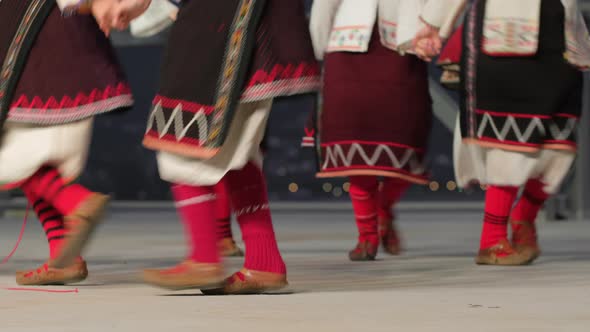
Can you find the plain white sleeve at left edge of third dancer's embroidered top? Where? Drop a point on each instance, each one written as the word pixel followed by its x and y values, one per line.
pixel 321 22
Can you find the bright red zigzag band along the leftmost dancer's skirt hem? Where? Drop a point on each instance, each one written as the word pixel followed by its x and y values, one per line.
pixel 23 103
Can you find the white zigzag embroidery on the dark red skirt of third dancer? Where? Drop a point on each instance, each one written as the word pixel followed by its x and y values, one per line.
pixel 336 157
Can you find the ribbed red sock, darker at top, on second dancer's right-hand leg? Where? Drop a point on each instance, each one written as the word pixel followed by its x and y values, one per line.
pixel 249 199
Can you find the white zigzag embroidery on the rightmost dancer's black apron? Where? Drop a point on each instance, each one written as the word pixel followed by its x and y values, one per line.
pixel 523 136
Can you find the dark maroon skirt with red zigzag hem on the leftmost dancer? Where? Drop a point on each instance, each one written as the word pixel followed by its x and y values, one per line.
pixel 70 74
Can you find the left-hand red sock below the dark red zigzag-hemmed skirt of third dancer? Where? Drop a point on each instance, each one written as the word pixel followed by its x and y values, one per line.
pixel 363 193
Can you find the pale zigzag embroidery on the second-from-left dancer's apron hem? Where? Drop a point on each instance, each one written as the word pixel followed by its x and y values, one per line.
pixel 176 119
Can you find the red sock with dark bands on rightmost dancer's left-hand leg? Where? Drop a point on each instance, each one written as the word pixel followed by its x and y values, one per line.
pixel 499 202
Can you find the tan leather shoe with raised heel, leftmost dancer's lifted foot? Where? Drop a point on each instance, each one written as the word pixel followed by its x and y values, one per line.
pixel 80 226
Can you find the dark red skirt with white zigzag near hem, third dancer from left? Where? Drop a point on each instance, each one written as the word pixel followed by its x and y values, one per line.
pixel 376 115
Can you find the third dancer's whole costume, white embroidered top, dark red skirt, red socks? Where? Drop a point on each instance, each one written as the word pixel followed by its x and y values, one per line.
pixel 376 115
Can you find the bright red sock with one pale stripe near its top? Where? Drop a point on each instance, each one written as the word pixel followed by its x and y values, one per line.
pixel 196 205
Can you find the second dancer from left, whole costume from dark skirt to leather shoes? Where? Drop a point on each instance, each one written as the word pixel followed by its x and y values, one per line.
pixel 225 63
